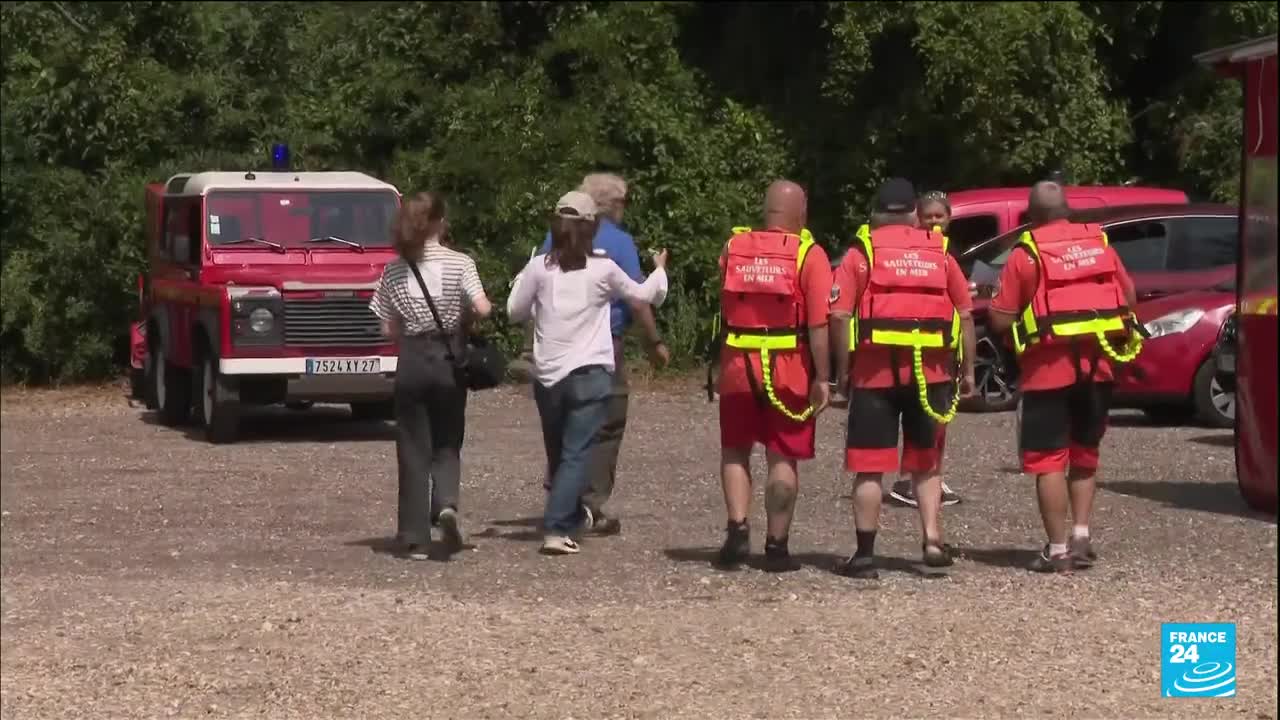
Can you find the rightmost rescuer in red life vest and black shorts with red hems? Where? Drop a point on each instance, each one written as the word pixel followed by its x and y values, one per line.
pixel 1062 290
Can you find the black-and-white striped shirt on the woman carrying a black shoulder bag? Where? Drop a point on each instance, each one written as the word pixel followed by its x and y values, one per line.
pixel 452 280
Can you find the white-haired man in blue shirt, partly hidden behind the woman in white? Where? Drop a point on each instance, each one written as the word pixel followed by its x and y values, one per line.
pixel 610 193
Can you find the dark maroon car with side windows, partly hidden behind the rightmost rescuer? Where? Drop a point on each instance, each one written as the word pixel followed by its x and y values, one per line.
pixel 1168 249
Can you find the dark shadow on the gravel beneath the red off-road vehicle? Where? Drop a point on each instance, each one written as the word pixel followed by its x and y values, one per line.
pixel 312 426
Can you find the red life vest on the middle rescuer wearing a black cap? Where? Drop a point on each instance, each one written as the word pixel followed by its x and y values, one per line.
pixel 907 289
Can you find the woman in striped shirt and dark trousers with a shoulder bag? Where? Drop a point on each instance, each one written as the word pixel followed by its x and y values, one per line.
pixel 431 403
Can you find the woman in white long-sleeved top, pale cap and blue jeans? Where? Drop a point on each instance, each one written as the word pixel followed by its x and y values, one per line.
pixel 568 293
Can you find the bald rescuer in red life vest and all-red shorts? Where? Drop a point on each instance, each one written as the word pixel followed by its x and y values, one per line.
pixel 775 366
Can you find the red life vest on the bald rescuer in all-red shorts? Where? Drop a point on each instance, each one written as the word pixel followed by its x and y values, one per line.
pixel 762 282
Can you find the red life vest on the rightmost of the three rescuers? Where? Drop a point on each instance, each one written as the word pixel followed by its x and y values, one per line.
pixel 1077 290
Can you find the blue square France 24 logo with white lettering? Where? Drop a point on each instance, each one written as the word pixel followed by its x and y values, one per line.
pixel 1197 659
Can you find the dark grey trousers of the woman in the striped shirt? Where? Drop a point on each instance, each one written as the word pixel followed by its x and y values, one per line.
pixel 431 423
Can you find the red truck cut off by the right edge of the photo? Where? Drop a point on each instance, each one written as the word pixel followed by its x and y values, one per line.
pixel 1256 325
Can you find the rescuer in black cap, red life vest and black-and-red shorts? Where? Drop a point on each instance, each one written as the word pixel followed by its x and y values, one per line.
pixel 912 315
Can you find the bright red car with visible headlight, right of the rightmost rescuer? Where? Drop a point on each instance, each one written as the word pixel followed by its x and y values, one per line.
pixel 1176 377
